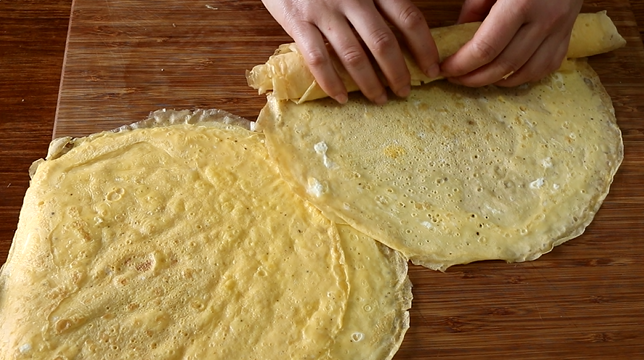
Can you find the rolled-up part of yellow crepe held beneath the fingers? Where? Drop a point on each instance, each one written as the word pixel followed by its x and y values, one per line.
pixel 287 76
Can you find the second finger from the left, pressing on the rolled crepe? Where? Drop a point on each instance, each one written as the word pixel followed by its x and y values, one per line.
pixel 354 59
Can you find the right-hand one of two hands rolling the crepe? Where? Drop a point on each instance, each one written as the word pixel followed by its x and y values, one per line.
pixel 519 41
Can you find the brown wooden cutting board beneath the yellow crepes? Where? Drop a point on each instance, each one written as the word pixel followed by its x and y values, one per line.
pixel 584 300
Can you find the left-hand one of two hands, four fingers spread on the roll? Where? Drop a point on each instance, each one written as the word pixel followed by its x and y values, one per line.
pixel 310 22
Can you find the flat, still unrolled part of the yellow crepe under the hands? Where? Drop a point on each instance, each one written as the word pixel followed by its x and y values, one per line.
pixel 450 174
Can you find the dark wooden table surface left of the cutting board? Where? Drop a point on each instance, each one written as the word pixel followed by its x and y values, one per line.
pixel 32 45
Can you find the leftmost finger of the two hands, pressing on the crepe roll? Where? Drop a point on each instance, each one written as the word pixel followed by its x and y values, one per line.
pixel 311 45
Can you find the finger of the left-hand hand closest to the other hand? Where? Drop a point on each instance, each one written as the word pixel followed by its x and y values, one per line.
pixel 407 18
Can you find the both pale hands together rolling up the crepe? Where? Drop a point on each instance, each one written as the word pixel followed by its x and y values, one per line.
pixel 519 41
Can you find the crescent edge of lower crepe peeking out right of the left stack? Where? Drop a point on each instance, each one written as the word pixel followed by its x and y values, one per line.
pixel 376 316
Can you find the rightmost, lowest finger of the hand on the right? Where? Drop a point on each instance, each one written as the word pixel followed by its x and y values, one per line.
pixel 546 60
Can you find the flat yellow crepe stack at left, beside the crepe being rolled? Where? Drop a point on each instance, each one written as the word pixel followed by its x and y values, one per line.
pixel 175 240
